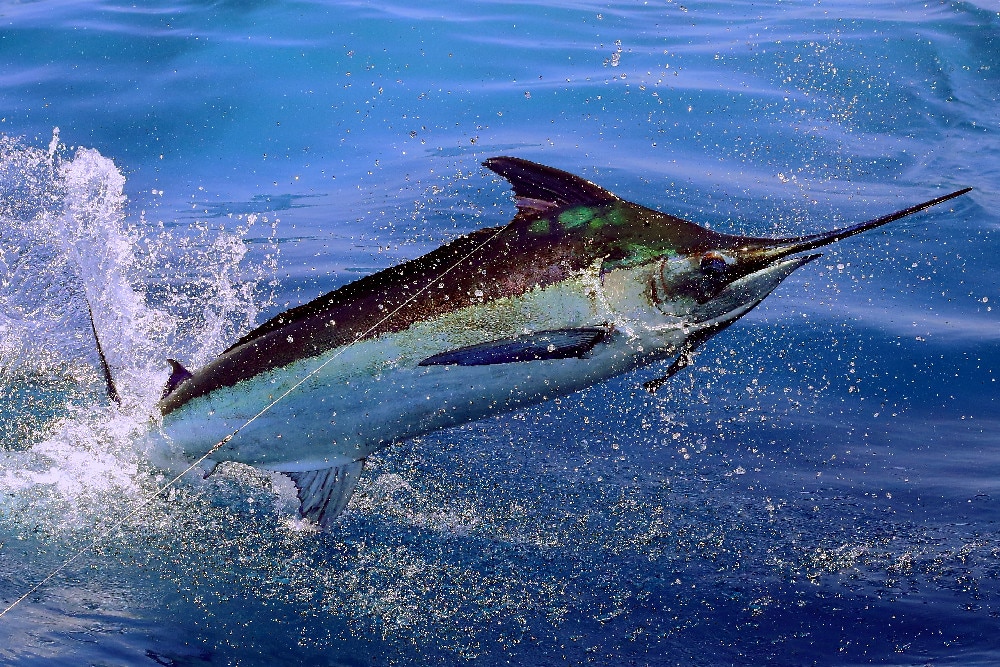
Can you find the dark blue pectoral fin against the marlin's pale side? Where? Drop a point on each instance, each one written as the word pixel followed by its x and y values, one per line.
pixel 537 346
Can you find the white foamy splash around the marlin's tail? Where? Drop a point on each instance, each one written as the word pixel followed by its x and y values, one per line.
pixel 66 240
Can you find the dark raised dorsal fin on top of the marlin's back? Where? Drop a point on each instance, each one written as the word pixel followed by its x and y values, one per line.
pixel 538 188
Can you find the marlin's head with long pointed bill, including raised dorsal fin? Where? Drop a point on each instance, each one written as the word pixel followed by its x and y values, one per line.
pixel 659 272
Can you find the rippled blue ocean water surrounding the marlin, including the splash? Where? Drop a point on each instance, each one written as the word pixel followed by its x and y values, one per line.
pixel 820 488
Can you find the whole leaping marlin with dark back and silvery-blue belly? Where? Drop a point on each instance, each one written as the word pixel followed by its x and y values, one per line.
pixel 579 287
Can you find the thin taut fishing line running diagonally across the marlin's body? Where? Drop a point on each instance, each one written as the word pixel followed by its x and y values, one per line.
pixel 217 446
